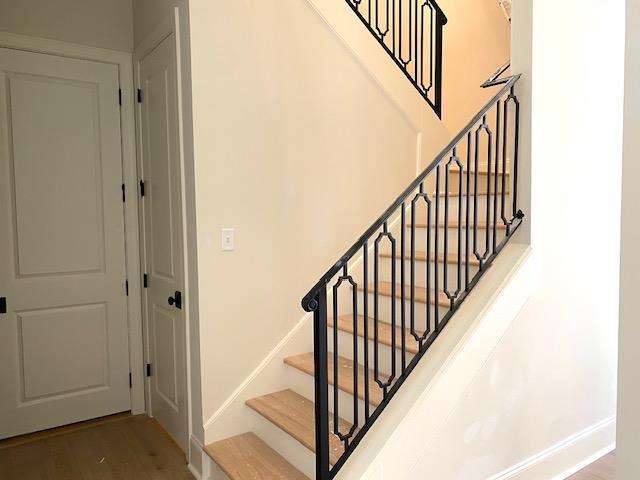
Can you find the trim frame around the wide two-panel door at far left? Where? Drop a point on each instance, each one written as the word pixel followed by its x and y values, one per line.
pixel 123 61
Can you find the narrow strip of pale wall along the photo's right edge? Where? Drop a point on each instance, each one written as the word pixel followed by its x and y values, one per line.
pixel 629 357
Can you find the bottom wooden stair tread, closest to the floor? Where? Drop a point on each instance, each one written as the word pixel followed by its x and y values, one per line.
pixel 246 457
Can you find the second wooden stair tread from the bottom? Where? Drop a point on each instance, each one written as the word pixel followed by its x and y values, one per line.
pixel 295 415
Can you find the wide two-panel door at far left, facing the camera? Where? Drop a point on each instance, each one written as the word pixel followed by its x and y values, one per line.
pixel 64 354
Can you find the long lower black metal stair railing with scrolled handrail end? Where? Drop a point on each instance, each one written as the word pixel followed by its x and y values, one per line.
pixel 445 229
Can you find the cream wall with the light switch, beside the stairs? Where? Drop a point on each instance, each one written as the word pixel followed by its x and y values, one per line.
pixel 299 149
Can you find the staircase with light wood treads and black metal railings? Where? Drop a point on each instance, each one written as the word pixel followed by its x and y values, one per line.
pixel 385 301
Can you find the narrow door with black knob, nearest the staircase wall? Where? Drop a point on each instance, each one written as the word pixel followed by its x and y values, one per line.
pixel 163 257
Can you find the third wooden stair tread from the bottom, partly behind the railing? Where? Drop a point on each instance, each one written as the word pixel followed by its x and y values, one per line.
pixel 304 363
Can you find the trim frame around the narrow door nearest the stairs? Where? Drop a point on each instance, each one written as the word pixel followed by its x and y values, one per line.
pixel 169 25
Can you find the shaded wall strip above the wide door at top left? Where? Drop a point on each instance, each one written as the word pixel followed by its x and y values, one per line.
pixel 95 23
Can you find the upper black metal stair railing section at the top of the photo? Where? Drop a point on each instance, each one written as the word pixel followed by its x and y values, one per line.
pixel 411 32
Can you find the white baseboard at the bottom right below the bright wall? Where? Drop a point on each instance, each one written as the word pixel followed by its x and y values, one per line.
pixel 566 457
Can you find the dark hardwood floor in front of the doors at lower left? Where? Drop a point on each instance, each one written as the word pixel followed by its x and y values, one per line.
pixel 121 447
